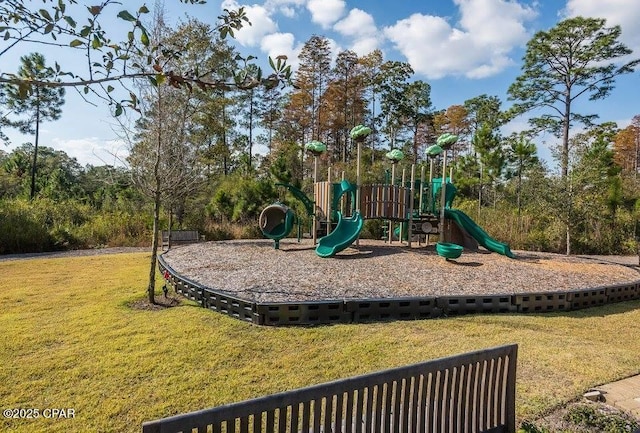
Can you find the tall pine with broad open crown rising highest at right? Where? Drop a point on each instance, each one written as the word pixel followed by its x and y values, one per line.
pixel 579 56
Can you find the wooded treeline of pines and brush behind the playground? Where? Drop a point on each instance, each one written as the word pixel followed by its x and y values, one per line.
pixel 208 160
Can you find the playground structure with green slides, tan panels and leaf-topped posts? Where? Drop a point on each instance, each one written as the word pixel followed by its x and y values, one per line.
pixel 414 210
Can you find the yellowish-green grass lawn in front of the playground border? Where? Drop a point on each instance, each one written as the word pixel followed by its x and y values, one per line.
pixel 68 339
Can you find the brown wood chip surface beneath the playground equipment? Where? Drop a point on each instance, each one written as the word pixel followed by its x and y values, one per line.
pixel 253 270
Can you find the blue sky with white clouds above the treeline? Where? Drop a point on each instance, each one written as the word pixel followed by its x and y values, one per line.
pixel 463 48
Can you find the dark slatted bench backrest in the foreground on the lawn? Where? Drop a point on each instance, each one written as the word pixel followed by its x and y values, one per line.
pixel 474 391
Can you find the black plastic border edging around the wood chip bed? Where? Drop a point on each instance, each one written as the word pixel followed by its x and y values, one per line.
pixel 323 312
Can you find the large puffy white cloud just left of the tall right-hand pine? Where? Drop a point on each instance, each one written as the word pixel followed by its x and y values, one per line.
pixel 478 47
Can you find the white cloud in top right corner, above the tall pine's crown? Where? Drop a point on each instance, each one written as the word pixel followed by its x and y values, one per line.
pixel 625 13
